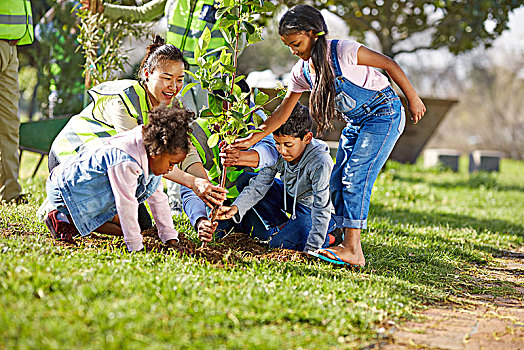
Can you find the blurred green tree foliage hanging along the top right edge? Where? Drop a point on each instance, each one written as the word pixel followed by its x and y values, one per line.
pixel 459 25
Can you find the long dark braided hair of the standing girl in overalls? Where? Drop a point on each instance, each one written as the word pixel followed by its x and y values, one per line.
pixel 304 18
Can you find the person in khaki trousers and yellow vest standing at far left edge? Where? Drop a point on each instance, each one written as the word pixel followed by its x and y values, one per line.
pixel 16 28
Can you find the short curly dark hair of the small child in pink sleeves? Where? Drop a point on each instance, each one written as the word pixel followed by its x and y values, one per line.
pixel 168 130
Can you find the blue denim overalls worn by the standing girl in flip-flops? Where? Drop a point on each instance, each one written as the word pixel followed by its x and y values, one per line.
pixel 375 121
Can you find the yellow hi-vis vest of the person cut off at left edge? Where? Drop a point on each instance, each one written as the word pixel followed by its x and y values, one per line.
pixel 16 21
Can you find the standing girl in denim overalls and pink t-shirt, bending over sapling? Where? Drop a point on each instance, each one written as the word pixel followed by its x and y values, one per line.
pixel 343 82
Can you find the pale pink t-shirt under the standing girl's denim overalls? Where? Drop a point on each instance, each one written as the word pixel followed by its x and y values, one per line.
pixel 364 76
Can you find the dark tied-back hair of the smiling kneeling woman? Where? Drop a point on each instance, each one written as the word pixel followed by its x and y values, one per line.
pixel 159 52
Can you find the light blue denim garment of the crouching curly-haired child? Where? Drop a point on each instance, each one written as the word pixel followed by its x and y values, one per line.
pixel 80 187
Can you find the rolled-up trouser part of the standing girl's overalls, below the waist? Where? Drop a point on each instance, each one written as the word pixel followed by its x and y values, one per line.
pixel 365 145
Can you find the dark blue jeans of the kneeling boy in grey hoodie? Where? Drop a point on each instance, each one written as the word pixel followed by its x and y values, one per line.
pixel 283 231
